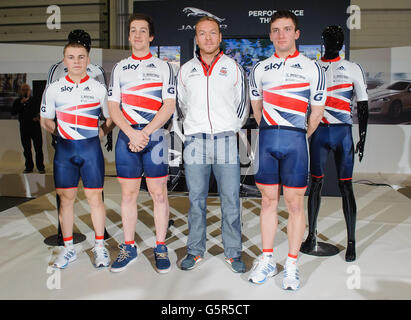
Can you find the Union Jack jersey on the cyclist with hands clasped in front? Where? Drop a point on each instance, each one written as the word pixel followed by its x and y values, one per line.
pixel 141 85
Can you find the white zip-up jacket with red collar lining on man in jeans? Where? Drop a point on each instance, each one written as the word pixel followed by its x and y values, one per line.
pixel 213 99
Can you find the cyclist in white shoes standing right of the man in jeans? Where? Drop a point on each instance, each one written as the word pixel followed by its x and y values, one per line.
pixel 281 88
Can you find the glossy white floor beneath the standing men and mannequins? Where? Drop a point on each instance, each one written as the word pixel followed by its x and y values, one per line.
pixel 382 269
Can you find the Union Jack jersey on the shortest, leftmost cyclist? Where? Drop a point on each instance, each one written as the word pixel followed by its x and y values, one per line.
pixel 76 106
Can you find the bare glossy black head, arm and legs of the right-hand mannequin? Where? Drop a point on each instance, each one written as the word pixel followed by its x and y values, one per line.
pixel 333 37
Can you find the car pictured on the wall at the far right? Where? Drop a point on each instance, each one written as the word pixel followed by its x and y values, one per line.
pixel 390 101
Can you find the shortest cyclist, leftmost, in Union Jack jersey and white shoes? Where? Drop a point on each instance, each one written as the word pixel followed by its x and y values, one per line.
pixel 76 101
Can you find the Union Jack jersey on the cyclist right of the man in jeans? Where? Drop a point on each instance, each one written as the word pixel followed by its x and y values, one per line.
pixel 287 86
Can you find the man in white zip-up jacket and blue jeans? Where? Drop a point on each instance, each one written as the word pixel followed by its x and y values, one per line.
pixel 212 95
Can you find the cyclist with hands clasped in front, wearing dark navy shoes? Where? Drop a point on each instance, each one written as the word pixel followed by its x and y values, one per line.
pixel 141 100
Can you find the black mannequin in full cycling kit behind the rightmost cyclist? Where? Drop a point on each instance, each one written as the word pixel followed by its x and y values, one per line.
pixel 344 79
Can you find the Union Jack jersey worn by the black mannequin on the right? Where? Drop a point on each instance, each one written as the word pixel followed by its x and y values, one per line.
pixel 343 79
